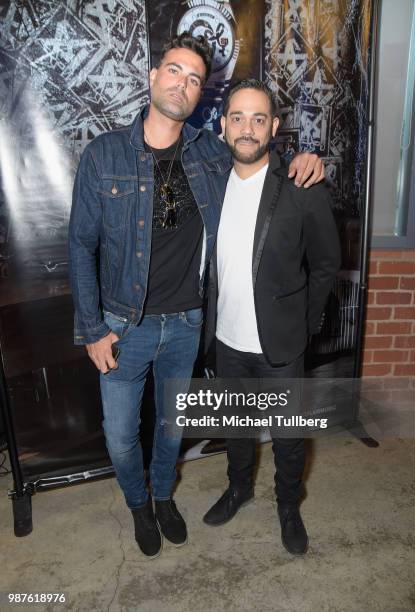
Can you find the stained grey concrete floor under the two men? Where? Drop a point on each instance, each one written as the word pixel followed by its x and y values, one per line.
pixel 359 513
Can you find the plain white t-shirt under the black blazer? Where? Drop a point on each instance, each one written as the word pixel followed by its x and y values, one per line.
pixel 236 323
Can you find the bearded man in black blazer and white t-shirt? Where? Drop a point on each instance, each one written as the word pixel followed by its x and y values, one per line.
pixel 276 259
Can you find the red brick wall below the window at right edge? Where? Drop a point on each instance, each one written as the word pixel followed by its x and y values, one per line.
pixel 389 340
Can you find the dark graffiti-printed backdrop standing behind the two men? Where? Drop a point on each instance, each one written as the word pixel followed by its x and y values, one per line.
pixel 71 70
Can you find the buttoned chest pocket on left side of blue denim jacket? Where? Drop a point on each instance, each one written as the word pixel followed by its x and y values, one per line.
pixel 117 197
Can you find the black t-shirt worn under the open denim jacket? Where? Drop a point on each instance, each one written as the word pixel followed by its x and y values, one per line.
pixel 173 283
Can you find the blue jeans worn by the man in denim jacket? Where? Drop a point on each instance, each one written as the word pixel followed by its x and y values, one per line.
pixel 170 344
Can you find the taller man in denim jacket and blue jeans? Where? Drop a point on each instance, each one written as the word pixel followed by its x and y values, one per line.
pixel 144 218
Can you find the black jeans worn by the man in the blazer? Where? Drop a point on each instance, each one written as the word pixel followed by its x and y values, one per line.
pixel 289 453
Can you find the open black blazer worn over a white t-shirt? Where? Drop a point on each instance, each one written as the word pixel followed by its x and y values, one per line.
pixel 295 259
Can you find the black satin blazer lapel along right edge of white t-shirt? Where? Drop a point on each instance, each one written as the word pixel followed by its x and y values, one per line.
pixel 269 198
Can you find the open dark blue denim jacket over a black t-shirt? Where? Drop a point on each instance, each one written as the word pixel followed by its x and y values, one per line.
pixel 110 227
